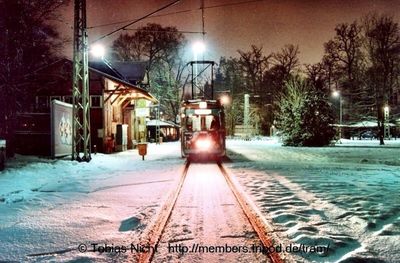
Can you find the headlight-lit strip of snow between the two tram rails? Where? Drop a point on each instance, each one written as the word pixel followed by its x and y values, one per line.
pixel 206 216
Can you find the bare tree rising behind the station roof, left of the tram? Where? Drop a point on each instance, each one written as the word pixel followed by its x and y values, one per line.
pixel 160 47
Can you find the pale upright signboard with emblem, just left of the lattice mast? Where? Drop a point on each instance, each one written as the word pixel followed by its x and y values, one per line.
pixel 61 128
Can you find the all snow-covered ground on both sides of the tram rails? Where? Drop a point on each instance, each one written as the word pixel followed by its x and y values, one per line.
pixel 347 197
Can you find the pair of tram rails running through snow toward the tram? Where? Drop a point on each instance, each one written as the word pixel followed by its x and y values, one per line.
pixel 154 235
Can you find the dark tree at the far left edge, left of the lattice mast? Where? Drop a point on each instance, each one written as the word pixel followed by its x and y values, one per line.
pixel 27 42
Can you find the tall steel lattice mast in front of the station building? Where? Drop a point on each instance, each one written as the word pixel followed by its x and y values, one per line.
pixel 80 86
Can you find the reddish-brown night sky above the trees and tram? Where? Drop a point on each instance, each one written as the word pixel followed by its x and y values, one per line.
pixel 270 24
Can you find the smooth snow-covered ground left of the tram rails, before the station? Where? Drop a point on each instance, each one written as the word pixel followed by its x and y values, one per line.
pixel 49 207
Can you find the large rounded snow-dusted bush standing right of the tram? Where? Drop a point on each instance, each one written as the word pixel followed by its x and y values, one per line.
pixel 305 116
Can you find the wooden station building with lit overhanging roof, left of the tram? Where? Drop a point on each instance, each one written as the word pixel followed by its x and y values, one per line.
pixel 116 91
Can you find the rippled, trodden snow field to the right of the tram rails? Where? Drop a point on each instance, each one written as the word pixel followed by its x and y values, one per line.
pixel 347 197
